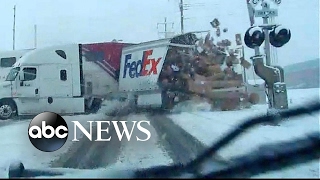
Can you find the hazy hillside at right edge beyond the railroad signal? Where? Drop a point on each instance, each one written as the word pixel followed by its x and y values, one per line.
pixel 302 75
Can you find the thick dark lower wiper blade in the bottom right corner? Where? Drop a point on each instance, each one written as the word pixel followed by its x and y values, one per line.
pixel 271 157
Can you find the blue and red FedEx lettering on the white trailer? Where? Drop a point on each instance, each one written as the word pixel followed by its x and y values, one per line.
pixel 136 69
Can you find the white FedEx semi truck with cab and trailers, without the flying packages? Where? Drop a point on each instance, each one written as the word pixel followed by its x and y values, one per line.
pixel 76 78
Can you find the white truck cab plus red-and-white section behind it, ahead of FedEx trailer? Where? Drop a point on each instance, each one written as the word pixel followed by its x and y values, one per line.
pixel 65 79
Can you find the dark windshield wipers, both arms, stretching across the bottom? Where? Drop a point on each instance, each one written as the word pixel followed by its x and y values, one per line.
pixel 267 158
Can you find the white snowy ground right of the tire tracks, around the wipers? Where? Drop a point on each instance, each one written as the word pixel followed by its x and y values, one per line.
pixel 209 126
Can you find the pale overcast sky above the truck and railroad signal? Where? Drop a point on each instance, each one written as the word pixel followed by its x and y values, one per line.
pixel 79 21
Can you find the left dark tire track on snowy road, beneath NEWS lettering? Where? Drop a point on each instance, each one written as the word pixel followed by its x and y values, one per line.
pixel 86 154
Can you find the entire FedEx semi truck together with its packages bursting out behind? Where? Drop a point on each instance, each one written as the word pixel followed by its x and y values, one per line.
pixel 156 74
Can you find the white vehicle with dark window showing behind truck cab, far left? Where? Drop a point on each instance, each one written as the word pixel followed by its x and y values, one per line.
pixel 7 60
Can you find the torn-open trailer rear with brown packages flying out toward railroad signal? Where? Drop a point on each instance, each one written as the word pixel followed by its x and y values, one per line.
pixel 211 72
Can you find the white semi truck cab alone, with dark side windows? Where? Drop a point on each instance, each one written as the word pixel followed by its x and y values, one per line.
pixel 43 79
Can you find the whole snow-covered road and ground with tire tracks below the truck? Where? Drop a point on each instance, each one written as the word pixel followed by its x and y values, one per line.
pixel 170 141
